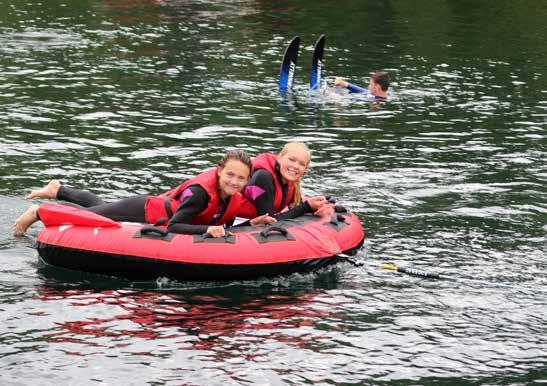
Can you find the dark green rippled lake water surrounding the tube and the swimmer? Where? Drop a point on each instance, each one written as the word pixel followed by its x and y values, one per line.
pixel 126 97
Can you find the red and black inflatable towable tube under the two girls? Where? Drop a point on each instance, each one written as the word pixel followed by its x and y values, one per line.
pixel 78 239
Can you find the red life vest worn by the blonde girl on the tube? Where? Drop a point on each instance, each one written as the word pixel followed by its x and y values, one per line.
pixel 268 161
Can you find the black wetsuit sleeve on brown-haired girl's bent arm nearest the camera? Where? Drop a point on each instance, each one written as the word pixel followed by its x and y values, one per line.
pixel 190 207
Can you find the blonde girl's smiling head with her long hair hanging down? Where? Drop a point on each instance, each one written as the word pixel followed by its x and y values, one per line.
pixel 293 161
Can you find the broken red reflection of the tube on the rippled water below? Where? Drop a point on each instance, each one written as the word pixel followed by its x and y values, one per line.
pixel 153 315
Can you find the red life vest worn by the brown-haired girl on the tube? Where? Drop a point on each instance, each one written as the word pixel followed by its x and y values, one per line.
pixel 155 207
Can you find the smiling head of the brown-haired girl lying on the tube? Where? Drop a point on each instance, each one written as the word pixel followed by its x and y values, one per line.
pixel 234 170
